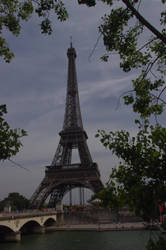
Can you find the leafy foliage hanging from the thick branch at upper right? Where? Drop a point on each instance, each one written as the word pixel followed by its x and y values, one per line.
pixel 123 34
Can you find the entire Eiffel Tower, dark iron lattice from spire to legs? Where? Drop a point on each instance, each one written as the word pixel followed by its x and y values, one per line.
pixel 62 176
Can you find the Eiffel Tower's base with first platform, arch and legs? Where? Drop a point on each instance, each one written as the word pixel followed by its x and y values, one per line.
pixel 59 181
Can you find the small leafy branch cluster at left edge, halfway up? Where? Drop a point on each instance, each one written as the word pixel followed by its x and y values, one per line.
pixel 9 138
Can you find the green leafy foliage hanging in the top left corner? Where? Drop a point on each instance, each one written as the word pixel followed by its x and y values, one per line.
pixel 14 12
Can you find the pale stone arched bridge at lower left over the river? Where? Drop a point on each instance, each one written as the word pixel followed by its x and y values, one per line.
pixel 13 225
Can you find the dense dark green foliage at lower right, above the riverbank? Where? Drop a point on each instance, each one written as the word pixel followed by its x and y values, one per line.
pixel 140 177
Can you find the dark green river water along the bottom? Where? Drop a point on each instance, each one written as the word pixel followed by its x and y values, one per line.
pixel 121 240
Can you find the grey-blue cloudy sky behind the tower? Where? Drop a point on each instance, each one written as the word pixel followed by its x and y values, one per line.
pixel 33 86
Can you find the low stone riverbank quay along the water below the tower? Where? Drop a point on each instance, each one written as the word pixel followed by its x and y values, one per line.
pixel 101 227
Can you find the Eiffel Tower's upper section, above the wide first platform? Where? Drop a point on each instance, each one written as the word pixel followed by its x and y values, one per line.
pixel 73 135
